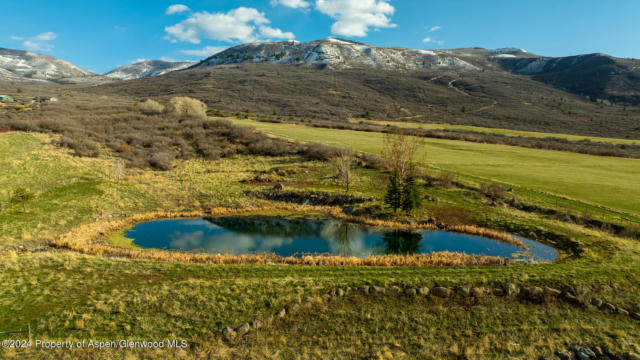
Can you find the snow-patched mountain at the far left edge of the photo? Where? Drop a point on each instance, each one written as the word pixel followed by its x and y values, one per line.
pixel 20 65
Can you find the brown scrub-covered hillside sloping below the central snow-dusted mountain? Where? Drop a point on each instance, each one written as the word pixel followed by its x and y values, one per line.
pixel 490 98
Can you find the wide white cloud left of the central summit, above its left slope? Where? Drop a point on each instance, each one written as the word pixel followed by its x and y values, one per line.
pixel 236 25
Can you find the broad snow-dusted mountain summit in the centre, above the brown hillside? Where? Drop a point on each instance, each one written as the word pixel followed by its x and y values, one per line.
pixel 338 53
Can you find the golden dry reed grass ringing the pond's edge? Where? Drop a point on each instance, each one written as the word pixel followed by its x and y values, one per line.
pixel 90 239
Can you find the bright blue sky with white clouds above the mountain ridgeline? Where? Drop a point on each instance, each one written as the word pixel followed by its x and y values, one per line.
pixel 101 35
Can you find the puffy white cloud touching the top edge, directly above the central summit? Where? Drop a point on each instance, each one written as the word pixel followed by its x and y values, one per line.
pixel 355 17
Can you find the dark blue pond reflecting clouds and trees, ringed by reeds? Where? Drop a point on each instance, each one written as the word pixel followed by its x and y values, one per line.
pixel 295 237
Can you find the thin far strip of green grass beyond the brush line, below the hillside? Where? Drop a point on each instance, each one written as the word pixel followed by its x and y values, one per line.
pixel 508 132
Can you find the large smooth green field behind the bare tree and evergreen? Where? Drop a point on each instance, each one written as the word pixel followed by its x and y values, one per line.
pixel 610 182
